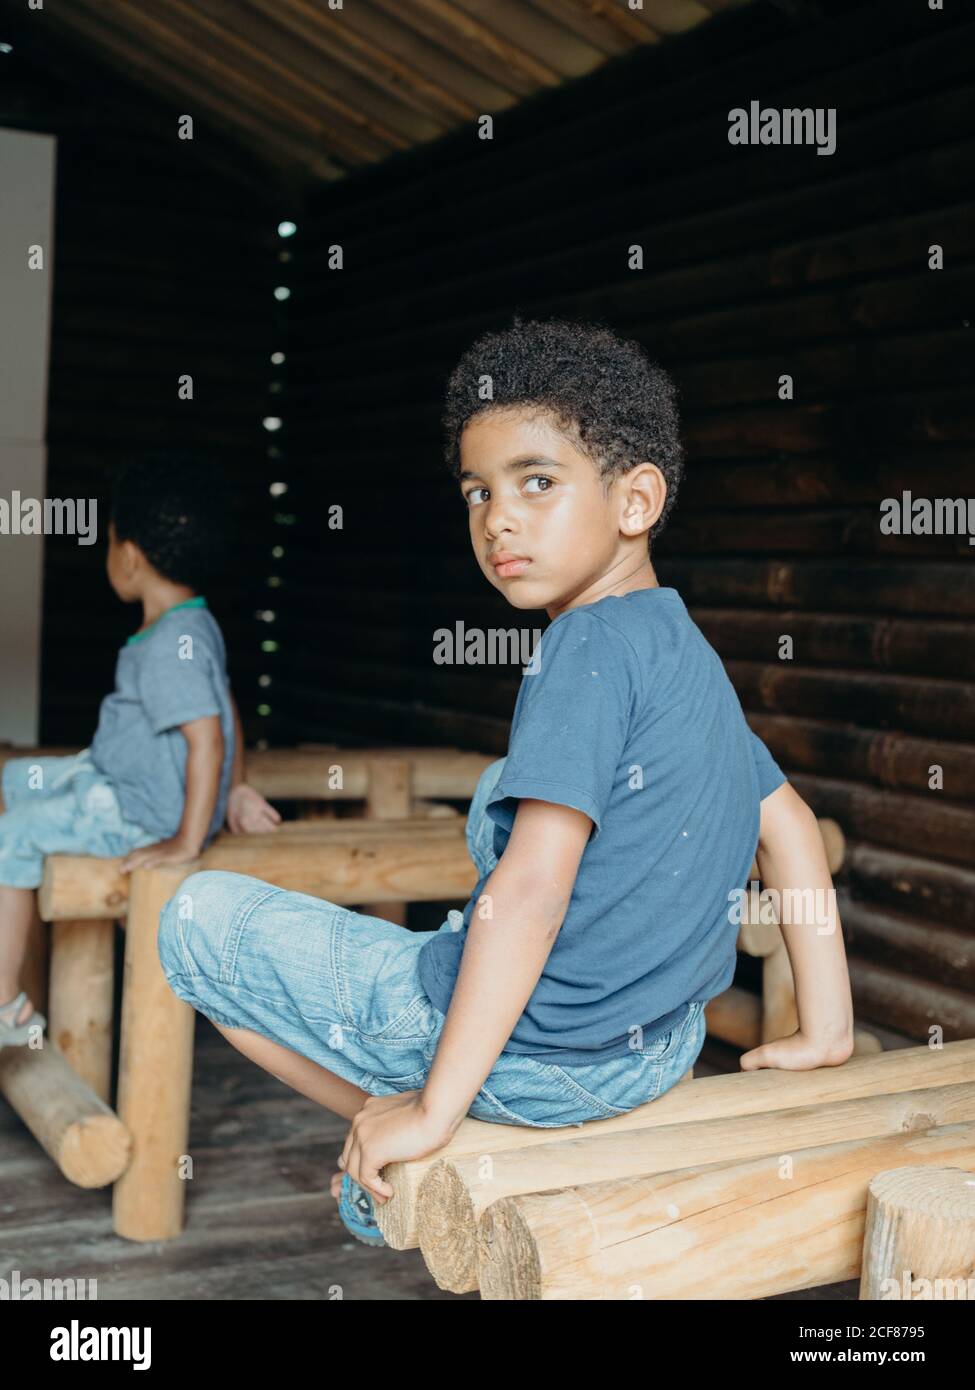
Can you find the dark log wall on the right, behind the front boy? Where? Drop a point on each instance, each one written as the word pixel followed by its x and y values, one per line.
pixel 760 262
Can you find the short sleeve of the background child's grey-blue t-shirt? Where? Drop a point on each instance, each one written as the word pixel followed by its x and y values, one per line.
pixel 177 676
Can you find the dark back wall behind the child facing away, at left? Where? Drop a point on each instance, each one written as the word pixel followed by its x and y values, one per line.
pixel 165 265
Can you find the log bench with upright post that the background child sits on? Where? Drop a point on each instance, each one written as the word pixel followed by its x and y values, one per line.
pixel 417 860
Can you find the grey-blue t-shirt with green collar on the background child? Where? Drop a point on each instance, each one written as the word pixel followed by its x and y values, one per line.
pixel 168 676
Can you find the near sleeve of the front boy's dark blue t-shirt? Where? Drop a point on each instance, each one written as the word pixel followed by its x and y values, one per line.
pixel 571 722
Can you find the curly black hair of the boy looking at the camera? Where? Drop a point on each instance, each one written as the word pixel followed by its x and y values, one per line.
pixel 602 390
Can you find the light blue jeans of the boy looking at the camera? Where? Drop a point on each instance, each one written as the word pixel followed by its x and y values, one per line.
pixel 343 989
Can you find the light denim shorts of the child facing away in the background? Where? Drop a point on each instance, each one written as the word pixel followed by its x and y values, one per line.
pixel 59 807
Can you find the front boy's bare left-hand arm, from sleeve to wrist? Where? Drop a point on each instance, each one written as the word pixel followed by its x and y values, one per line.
pixel 504 956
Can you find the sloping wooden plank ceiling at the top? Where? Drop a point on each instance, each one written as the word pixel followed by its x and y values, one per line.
pixel 316 92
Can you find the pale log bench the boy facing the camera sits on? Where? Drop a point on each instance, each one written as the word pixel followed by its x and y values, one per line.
pixel 688 1197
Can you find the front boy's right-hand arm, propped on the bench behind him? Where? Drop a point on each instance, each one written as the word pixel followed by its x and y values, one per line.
pixel 792 860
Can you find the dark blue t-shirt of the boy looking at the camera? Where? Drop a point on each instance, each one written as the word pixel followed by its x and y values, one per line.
pixel 634 721
